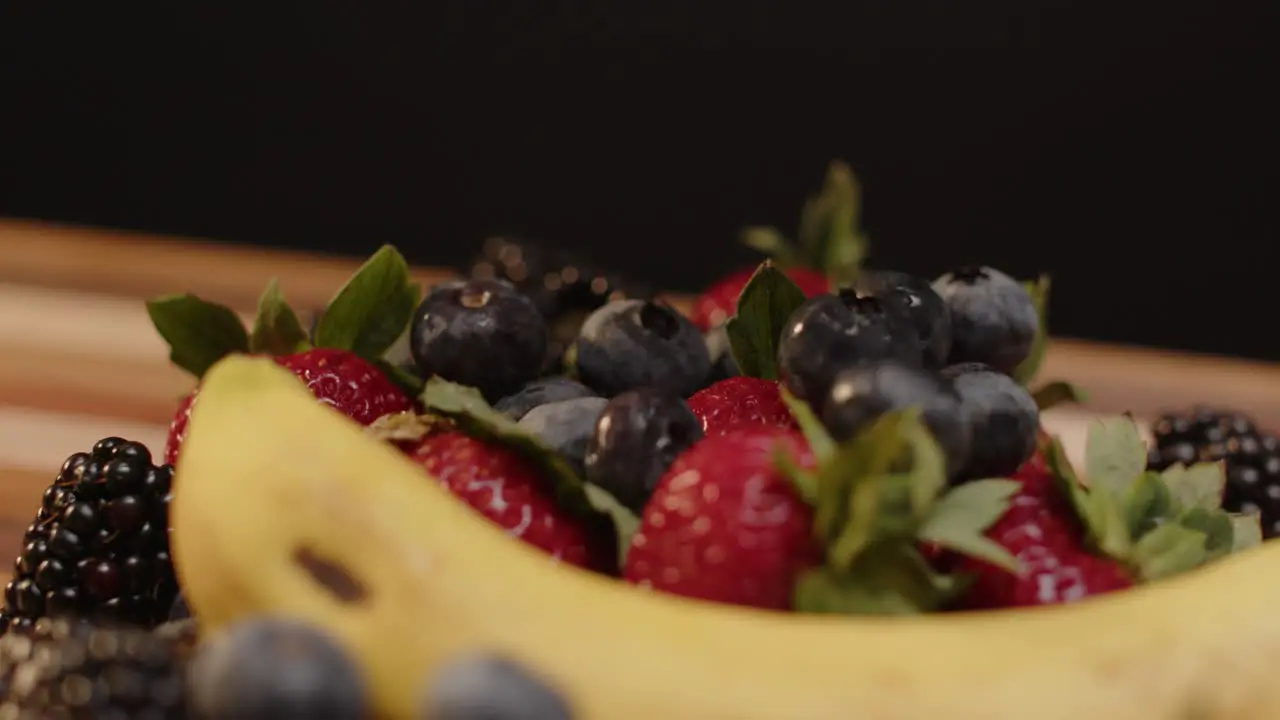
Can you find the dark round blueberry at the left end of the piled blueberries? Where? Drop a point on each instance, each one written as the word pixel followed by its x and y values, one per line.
pixel 479 334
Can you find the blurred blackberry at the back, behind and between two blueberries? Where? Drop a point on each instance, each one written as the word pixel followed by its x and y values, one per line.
pixel 565 289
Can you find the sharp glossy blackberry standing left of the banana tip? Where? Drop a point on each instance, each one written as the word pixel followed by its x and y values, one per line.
pixel 99 546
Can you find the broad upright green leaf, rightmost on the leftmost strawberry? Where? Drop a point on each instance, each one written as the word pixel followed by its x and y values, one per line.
pixel 373 309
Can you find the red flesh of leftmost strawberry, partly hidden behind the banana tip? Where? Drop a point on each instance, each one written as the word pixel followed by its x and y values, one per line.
pixel 344 380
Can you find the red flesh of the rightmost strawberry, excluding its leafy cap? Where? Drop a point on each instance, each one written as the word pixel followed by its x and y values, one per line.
pixel 1043 531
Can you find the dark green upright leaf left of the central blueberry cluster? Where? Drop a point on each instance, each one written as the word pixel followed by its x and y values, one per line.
pixel 764 309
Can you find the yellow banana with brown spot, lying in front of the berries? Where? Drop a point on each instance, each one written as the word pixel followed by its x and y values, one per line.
pixel 285 507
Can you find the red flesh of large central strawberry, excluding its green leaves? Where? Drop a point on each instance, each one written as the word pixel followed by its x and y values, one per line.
pixel 724 525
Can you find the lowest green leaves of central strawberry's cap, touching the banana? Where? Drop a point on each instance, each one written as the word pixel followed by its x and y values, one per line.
pixel 889 581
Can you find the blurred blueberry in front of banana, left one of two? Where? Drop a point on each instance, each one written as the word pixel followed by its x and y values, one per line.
pixel 276 669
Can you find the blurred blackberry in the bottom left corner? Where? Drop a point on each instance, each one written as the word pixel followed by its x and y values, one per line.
pixel 76 671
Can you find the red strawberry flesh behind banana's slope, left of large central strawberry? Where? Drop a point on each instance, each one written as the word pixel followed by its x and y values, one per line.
pixel 506 489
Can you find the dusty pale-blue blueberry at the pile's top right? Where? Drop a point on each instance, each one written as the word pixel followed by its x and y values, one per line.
pixel 994 320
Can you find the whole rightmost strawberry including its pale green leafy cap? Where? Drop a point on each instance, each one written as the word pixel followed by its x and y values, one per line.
pixel 1126 527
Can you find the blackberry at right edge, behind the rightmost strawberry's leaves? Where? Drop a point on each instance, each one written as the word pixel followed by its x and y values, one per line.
pixel 1251 458
